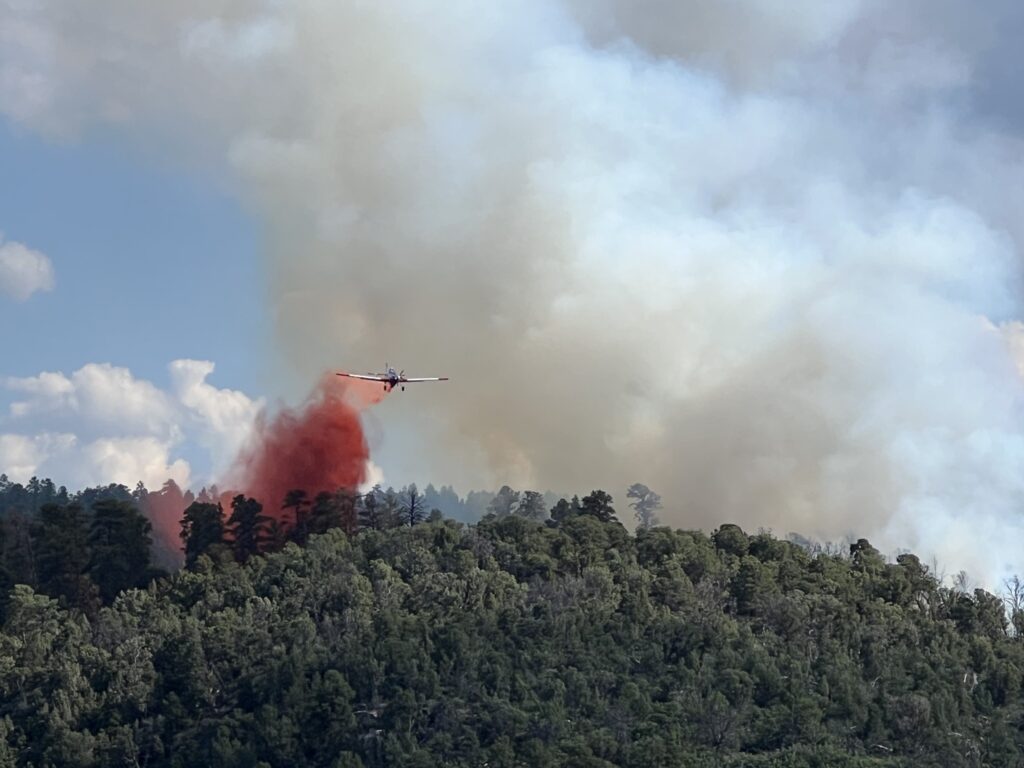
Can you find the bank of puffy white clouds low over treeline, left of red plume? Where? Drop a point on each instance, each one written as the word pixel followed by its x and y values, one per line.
pixel 103 424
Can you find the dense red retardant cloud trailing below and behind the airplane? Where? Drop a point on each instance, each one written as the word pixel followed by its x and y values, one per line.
pixel 318 447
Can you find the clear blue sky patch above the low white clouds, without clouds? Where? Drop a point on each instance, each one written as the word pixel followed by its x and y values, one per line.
pixel 152 265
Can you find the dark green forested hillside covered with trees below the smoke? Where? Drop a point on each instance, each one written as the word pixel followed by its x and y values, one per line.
pixel 361 634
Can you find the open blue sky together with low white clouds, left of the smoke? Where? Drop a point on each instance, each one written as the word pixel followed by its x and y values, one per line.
pixel 151 266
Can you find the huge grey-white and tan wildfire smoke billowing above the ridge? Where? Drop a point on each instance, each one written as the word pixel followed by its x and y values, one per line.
pixel 762 257
